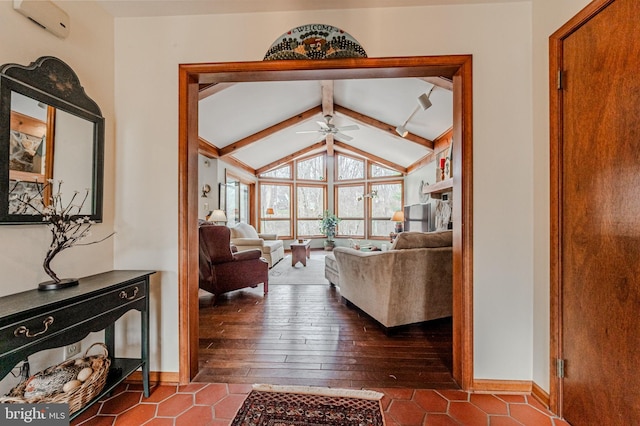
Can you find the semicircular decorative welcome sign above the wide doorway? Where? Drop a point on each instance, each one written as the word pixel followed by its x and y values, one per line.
pixel 315 41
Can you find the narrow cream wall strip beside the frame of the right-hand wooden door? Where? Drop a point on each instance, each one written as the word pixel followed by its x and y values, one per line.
pixel 548 16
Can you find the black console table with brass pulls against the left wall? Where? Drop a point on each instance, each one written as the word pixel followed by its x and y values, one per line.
pixel 35 320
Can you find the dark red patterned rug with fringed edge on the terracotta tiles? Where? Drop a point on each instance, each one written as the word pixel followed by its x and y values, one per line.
pixel 313 406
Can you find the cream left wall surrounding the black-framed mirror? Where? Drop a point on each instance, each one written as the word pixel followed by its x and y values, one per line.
pixel 89 52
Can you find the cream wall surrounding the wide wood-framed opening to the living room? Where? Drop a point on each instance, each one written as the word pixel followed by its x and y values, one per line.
pixel 148 51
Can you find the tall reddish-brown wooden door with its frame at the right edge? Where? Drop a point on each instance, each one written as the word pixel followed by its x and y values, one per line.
pixel 596 214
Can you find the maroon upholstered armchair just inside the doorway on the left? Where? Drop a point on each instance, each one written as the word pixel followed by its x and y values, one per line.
pixel 222 270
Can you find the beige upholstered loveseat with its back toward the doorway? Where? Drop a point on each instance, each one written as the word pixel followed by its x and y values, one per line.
pixel 412 282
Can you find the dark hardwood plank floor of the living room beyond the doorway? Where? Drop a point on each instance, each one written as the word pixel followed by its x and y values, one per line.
pixel 304 335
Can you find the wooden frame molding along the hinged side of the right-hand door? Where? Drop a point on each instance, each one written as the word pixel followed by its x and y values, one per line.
pixel 556 41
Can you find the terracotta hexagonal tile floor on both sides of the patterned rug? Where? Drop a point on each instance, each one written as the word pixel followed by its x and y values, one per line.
pixel 216 404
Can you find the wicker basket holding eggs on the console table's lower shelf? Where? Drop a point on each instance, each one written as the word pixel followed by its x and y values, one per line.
pixel 78 397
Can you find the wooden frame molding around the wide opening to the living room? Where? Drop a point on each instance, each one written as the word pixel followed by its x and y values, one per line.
pixel 456 67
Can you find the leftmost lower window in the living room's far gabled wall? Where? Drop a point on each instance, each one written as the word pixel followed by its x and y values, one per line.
pixel 277 197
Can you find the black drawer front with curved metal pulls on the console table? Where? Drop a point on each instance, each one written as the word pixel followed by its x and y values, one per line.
pixel 43 325
